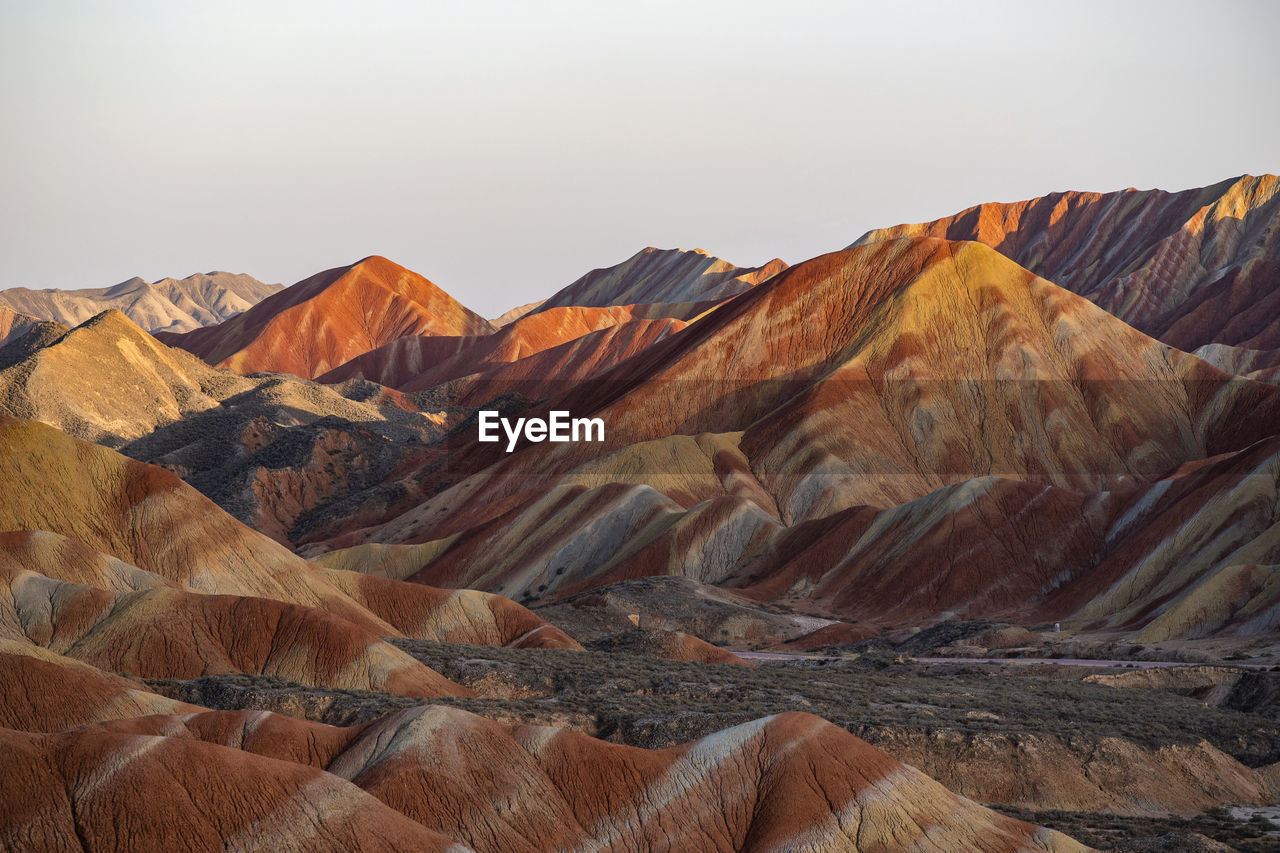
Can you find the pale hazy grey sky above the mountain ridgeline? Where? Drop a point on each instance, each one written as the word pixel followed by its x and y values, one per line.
pixel 504 149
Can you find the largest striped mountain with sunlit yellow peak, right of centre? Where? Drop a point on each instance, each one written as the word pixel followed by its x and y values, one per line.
pixel 815 441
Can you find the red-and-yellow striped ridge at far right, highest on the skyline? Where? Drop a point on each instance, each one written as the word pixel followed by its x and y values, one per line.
pixel 1190 268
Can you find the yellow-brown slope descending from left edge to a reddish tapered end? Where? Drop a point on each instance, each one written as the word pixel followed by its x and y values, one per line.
pixel 120 535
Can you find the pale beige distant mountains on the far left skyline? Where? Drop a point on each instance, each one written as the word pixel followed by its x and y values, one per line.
pixel 167 305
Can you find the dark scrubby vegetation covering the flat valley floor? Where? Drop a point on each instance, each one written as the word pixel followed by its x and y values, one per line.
pixel 655 703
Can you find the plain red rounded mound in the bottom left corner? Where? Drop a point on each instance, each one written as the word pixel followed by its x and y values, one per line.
pixel 115 792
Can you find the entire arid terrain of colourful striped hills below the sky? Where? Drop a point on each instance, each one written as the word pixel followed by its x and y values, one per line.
pixel 966 537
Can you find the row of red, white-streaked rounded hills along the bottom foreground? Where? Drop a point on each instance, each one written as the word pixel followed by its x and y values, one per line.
pixel 420 777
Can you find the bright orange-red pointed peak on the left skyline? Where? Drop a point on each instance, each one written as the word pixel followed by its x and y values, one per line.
pixel 330 320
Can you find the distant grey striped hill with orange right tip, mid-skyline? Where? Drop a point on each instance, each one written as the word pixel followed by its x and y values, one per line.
pixel 673 276
